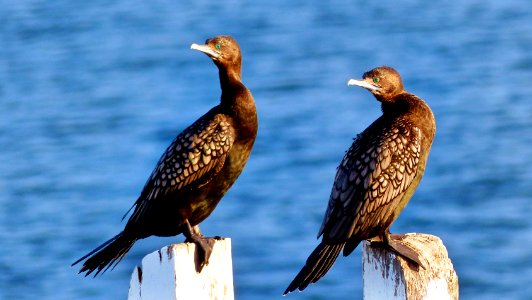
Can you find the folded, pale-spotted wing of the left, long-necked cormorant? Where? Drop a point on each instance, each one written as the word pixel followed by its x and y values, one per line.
pixel 192 158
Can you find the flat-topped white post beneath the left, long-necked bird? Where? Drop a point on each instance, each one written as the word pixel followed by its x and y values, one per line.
pixel 170 274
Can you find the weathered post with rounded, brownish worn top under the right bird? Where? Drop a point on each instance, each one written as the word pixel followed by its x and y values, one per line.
pixel 387 276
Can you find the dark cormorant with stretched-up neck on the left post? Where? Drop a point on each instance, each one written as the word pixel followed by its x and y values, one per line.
pixel 195 171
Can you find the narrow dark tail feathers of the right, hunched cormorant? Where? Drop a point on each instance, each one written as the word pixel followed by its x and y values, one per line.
pixel 318 263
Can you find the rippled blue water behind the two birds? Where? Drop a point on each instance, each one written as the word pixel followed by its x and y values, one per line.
pixel 92 92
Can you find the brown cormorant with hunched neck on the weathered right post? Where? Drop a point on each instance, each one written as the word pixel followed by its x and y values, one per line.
pixel 376 177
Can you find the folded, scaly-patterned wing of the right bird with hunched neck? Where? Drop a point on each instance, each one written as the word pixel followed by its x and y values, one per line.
pixel 374 173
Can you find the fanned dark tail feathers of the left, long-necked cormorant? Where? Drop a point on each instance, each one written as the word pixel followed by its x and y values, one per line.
pixel 107 255
